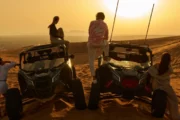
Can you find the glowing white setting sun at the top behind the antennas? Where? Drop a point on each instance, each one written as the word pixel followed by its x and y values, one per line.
pixel 130 8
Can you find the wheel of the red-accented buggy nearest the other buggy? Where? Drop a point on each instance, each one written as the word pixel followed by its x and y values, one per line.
pixel 94 96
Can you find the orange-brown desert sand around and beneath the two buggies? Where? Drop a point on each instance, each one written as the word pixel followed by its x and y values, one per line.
pixel 109 108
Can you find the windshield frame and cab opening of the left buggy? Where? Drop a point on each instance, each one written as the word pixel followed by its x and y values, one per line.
pixel 50 55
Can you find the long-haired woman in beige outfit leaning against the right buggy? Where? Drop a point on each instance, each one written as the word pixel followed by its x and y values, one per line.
pixel 160 73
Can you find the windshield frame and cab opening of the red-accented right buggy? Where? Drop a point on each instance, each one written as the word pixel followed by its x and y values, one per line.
pixel 131 53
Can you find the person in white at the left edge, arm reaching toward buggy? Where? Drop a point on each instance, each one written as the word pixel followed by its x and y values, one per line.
pixel 5 66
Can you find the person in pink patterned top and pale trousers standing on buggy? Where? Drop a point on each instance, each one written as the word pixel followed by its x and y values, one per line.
pixel 98 39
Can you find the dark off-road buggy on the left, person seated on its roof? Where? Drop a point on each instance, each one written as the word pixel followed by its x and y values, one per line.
pixel 45 71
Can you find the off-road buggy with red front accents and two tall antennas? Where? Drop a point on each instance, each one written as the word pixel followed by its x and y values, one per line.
pixel 125 74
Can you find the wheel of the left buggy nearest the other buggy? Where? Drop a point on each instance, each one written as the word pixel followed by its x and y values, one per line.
pixel 78 93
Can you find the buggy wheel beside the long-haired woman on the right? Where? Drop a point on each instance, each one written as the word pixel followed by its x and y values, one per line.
pixel 158 105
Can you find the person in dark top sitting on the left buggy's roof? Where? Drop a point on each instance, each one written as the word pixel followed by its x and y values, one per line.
pixel 57 35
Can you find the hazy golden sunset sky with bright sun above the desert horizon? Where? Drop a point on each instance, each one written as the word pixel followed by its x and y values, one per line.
pixel 31 17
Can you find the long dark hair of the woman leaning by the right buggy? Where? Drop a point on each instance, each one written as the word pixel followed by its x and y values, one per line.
pixel 164 64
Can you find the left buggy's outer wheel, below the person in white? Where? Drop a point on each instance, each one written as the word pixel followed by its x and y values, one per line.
pixel 13 104
